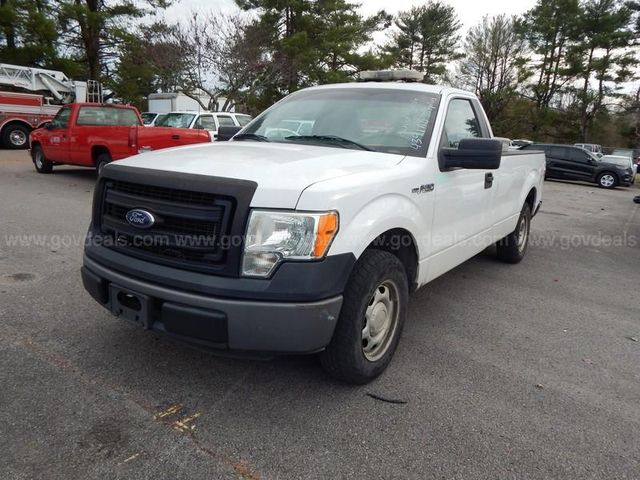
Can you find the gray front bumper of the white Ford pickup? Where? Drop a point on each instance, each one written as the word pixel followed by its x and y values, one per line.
pixel 253 326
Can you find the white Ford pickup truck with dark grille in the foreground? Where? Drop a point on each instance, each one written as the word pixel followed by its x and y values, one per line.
pixel 279 242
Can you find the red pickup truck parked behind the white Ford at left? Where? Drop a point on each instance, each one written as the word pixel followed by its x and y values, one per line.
pixel 92 135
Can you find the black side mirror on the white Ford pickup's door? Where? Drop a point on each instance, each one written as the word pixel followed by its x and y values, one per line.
pixel 472 153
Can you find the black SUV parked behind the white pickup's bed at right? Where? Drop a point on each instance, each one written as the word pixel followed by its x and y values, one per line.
pixel 575 163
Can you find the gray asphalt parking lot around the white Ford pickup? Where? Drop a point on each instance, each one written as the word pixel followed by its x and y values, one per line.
pixel 503 372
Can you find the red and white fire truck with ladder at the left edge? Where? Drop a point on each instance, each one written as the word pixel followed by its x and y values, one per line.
pixel 30 97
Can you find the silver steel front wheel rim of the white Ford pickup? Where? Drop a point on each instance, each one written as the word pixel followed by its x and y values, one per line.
pixel 380 321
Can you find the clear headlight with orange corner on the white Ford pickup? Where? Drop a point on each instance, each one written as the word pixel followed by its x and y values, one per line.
pixel 274 236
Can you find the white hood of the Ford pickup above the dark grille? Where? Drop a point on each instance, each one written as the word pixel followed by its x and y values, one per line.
pixel 282 171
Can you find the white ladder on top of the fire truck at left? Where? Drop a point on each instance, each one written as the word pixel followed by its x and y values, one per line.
pixel 55 83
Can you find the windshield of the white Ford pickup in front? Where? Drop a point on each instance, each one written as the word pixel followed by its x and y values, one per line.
pixel 384 120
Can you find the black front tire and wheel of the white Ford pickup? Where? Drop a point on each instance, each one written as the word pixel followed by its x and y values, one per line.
pixel 349 357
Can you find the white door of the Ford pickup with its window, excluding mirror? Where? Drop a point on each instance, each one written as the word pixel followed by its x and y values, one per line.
pixel 462 215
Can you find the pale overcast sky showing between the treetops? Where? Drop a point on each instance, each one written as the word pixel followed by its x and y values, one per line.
pixel 470 12
